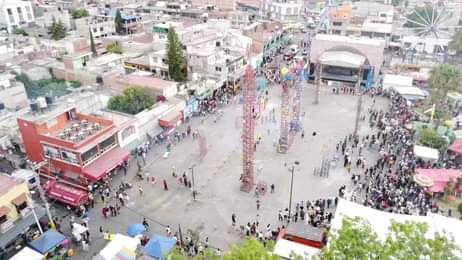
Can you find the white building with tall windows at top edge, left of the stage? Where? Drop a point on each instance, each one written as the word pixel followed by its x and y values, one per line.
pixel 283 10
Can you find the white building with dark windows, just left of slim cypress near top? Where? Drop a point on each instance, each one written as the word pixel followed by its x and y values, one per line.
pixel 100 26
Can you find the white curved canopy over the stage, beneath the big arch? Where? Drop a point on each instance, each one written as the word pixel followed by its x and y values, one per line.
pixel 342 59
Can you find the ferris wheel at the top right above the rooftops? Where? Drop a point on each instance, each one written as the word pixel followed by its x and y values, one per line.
pixel 433 20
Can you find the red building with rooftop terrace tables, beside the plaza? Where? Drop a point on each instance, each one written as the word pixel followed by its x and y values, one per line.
pixel 79 149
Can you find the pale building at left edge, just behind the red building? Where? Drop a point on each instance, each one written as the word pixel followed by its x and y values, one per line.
pixel 12 93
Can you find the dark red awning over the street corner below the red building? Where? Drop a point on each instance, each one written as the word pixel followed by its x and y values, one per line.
pixel 65 193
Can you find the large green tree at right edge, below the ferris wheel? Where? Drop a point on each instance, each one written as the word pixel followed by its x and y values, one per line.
pixel 443 79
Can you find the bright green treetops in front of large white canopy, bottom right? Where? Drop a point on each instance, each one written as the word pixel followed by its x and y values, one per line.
pixel 356 240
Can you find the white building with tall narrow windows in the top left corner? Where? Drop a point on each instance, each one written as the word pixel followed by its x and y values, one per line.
pixel 15 13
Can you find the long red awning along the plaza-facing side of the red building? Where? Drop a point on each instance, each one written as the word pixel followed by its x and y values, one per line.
pixel 104 164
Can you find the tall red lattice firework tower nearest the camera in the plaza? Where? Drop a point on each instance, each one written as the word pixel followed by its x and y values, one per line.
pixel 248 131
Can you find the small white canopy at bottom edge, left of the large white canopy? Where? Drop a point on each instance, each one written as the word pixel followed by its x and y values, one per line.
pixel 284 247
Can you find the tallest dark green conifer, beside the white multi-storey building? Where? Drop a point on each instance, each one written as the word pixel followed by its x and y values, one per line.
pixel 176 59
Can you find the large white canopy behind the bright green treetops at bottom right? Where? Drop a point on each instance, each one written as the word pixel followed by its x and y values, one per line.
pixel 380 221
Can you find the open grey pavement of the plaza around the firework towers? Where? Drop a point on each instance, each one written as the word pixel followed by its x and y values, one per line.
pixel 217 177
